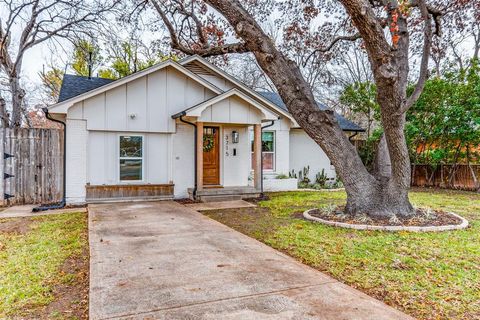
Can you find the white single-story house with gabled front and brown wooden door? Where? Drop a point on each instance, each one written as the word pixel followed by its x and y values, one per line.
pixel 136 137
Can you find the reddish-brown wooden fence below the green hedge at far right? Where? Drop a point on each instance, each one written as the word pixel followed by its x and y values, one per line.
pixel 458 176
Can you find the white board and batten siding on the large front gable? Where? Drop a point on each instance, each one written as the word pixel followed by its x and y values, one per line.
pixel 142 105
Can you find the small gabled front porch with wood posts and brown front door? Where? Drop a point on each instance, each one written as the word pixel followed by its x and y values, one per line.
pixel 225 153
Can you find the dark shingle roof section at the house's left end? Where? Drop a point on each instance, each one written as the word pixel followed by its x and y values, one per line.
pixel 73 85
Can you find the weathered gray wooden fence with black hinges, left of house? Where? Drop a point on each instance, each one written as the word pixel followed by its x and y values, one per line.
pixel 32 163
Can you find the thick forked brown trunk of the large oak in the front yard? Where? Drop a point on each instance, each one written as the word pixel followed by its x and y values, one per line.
pixel 366 194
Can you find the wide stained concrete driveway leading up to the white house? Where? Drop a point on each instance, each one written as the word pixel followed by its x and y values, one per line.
pixel 162 260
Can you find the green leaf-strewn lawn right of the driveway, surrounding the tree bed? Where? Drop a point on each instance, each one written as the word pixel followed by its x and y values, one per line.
pixel 428 275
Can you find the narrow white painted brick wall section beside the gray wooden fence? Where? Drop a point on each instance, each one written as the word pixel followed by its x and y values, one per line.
pixel 77 136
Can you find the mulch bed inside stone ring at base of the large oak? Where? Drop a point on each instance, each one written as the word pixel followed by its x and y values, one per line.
pixel 421 218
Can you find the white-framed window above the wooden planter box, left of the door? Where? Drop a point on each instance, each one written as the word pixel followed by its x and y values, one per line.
pixel 131 158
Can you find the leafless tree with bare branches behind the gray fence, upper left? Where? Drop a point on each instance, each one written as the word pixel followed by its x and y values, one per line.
pixel 25 24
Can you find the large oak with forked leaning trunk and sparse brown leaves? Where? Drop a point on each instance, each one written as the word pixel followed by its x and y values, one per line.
pixel 386 29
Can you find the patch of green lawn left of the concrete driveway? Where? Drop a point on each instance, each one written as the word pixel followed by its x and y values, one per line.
pixel 33 253
